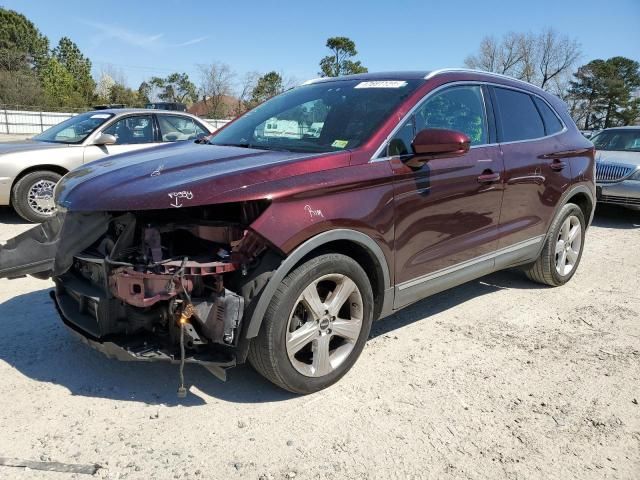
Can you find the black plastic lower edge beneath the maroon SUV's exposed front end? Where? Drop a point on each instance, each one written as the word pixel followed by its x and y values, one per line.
pixel 141 348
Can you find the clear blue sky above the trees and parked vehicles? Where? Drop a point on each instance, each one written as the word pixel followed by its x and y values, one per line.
pixel 146 38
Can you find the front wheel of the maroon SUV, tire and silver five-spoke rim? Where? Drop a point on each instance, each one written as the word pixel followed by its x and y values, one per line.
pixel 316 325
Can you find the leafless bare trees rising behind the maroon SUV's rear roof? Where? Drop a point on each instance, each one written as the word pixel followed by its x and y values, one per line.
pixel 546 59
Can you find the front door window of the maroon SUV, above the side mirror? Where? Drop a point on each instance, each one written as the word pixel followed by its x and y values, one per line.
pixel 456 108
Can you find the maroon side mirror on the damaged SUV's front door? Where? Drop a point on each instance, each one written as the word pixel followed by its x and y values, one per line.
pixel 436 143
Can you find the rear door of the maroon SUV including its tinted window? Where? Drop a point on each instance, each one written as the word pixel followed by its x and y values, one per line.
pixel 534 177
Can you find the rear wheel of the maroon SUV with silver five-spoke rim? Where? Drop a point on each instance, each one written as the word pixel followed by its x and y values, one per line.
pixel 562 250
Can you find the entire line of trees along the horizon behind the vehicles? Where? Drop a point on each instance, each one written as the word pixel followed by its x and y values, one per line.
pixel 599 94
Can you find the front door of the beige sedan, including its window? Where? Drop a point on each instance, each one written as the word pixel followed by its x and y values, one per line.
pixel 133 132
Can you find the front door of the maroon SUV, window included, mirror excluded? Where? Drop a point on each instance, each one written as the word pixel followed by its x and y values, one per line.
pixel 447 211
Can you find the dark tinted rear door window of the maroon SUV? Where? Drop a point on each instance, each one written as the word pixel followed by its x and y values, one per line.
pixel 518 117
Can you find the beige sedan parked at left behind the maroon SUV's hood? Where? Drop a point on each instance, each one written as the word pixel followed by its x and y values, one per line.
pixel 30 169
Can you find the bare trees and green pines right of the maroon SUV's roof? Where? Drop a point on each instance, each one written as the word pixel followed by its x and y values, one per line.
pixel 599 94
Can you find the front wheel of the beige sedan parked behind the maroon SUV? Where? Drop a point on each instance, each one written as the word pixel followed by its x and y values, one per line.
pixel 32 195
